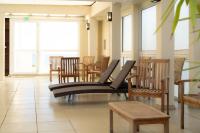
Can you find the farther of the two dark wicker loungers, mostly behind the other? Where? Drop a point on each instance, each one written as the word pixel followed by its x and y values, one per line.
pixel 103 78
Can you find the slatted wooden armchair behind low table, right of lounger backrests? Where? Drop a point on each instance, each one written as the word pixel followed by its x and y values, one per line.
pixel 151 80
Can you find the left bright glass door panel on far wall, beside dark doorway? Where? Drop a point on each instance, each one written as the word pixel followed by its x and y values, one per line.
pixel 24 48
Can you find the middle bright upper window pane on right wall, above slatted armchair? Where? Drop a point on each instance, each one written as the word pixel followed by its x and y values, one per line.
pixel 149 28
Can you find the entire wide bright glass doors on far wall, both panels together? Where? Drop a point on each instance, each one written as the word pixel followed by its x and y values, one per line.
pixel 34 42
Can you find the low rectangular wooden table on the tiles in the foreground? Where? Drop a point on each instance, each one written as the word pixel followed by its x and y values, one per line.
pixel 138 113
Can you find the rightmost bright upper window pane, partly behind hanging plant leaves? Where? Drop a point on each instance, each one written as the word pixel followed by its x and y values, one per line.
pixel 181 35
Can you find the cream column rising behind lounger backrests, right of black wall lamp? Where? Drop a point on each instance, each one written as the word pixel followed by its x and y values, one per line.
pixel 115 34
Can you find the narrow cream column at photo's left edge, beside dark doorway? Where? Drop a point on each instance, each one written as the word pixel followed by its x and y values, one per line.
pixel 2 47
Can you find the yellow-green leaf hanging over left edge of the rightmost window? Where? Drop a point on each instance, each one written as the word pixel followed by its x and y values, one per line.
pixel 177 15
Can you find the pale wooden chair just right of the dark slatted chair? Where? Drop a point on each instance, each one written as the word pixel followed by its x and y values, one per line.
pixel 85 66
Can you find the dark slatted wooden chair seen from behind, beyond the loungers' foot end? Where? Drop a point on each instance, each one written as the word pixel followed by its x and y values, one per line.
pixel 69 69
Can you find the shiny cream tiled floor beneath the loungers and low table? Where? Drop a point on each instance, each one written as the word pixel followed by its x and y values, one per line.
pixel 27 106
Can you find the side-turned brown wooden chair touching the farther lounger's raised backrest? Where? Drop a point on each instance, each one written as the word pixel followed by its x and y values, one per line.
pixel 98 68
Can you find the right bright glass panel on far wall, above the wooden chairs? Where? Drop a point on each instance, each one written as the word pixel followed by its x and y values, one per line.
pixel 57 39
